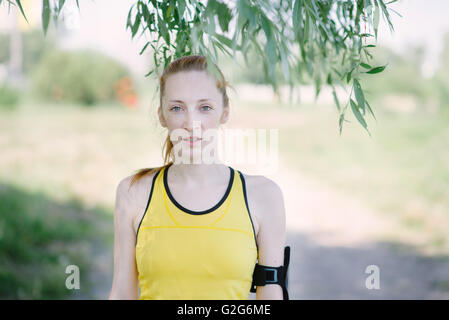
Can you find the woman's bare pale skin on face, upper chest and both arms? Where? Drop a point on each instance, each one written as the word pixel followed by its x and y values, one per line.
pixel 265 199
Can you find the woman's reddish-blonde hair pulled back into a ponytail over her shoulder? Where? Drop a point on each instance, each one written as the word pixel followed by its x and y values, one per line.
pixel 186 63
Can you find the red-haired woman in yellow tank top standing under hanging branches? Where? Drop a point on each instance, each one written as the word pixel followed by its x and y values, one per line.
pixel 195 230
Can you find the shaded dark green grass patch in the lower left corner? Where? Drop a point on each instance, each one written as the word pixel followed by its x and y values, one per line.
pixel 40 238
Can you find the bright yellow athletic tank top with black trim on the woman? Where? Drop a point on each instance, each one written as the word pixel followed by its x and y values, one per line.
pixel 191 255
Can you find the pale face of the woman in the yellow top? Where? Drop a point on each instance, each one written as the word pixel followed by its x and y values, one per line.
pixel 192 104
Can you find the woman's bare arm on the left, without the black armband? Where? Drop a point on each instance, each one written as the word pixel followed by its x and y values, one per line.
pixel 124 283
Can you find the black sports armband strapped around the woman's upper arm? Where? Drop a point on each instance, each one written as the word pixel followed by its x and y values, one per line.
pixel 263 275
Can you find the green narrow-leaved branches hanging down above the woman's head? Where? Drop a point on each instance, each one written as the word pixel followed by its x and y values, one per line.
pixel 322 39
